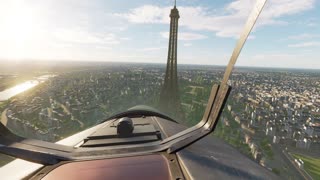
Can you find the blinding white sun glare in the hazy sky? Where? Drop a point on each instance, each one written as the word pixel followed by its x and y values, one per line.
pixel 17 25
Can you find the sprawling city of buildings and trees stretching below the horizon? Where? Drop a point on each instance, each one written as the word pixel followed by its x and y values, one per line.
pixel 269 114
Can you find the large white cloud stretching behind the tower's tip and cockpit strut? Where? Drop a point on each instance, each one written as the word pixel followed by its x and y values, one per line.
pixel 227 25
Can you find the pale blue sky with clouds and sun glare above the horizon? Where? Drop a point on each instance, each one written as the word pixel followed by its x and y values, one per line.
pixel 287 33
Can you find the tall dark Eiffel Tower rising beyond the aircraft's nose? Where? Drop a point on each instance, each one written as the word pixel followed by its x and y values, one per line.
pixel 169 96
